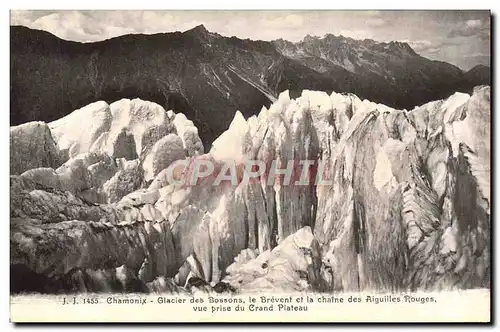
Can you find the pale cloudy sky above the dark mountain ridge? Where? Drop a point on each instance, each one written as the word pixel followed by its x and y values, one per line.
pixel 459 37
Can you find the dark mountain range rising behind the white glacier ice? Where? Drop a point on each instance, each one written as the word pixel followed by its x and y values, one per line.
pixel 208 77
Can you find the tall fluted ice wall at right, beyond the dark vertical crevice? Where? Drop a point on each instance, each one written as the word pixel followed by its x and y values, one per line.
pixel 407 210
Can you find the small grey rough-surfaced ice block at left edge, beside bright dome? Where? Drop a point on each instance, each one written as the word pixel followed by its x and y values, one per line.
pixel 32 146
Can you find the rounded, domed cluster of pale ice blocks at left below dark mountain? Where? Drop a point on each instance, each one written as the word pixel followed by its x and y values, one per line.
pixel 109 151
